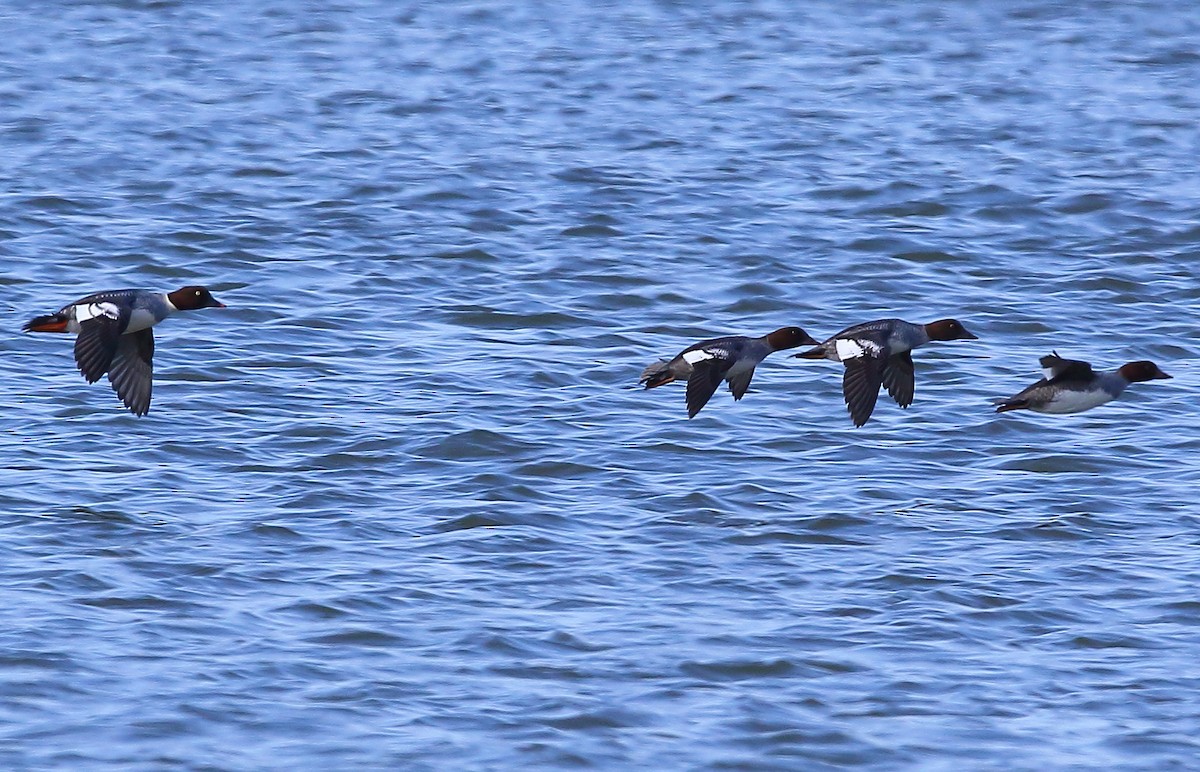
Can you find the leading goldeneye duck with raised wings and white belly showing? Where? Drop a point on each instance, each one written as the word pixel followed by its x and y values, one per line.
pixel 1073 387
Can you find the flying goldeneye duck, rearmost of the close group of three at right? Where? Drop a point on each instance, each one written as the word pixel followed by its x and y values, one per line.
pixel 733 358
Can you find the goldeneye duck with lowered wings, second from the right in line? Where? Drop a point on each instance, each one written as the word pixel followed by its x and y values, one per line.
pixel 879 354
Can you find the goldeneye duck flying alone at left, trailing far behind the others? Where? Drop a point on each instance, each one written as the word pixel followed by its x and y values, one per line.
pixel 115 336
